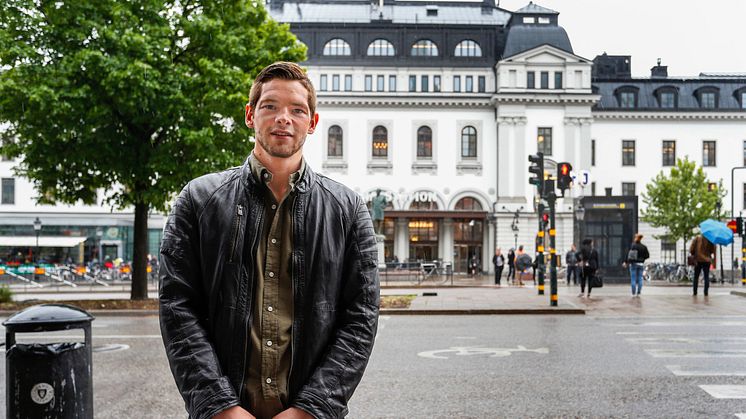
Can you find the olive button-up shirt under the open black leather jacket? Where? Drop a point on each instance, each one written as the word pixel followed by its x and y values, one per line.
pixel 272 308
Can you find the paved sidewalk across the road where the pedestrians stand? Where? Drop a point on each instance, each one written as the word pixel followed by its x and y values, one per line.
pixel 478 295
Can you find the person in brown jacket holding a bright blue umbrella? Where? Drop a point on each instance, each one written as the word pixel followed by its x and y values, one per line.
pixel 703 249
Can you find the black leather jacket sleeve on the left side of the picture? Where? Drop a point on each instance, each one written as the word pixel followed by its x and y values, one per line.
pixel 183 309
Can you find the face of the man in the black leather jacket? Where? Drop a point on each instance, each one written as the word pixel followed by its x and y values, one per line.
pixel 282 118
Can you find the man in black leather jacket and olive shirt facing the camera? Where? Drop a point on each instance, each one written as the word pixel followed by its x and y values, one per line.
pixel 214 263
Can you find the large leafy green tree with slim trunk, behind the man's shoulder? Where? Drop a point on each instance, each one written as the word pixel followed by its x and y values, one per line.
pixel 129 98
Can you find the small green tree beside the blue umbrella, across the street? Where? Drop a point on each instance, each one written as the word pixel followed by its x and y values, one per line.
pixel 680 200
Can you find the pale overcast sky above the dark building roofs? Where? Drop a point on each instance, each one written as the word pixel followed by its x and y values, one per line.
pixel 689 37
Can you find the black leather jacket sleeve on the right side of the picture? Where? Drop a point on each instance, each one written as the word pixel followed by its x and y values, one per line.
pixel 331 385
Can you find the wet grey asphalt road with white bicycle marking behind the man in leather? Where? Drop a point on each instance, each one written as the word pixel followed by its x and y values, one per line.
pixel 482 367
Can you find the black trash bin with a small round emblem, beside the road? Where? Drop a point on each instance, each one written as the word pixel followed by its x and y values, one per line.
pixel 51 380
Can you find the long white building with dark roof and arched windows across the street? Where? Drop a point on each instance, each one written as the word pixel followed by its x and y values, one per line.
pixel 436 106
